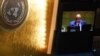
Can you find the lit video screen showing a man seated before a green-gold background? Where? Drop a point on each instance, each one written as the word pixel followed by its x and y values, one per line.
pixel 77 21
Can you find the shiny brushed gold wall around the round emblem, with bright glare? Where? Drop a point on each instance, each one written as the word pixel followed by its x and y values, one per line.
pixel 25 40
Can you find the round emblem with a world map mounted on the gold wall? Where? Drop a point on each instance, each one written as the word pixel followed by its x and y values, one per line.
pixel 12 13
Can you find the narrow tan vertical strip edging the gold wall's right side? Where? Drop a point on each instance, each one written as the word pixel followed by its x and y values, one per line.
pixel 52 29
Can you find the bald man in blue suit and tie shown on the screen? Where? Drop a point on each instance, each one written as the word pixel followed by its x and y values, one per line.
pixel 78 22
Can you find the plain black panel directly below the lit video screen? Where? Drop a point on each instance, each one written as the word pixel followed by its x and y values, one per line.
pixel 72 42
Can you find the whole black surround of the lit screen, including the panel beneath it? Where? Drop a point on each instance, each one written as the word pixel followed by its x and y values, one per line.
pixel 60 37
